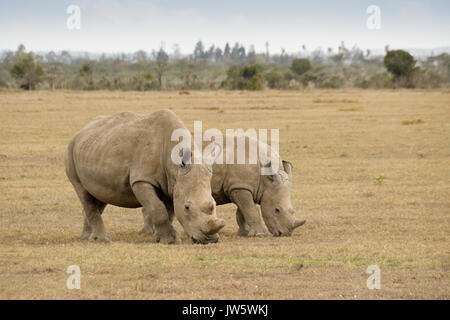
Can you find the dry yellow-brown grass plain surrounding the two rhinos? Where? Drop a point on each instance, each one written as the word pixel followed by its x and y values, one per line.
pixel 373 191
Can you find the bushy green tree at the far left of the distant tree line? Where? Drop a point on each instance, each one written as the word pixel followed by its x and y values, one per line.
pixel 28 72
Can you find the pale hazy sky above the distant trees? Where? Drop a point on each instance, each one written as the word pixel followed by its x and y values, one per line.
pixel 129 25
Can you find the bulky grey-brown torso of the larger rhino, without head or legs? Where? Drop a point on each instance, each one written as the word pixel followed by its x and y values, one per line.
pixel 112 152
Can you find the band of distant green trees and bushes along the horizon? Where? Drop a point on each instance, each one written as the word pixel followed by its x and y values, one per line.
pixel 231 67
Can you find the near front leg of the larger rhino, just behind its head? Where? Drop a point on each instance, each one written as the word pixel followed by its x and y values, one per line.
pixel 155 213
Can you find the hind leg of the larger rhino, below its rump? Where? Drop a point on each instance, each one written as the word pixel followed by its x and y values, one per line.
pixel 93 227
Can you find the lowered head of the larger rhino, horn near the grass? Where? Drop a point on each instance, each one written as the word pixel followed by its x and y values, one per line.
pixel 194 205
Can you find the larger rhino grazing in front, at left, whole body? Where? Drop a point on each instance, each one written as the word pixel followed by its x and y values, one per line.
pixel 125 160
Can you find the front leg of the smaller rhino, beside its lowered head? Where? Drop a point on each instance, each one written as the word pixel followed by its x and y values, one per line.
pixel 249 214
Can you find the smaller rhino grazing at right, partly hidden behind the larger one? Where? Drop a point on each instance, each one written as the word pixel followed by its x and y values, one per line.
pixel 243 185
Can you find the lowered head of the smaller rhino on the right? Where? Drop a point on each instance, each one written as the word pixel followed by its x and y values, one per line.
pixel 276 206
